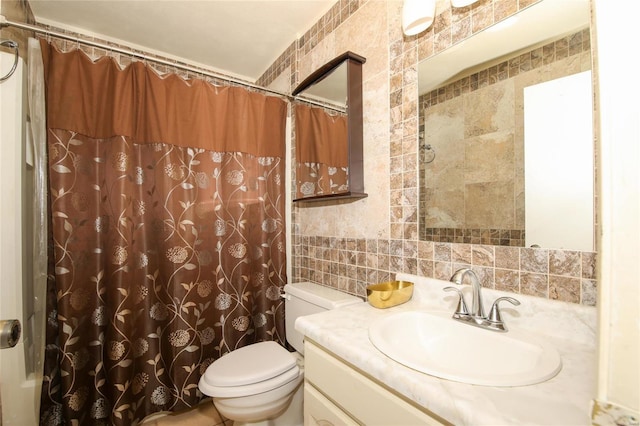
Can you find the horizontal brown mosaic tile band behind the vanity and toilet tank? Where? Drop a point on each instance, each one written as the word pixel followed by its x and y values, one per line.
pixel 351 264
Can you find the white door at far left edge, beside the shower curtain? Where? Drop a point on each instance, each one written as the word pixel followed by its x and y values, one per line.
pixel 19 392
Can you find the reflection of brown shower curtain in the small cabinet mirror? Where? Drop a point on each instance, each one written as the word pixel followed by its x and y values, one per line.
pixel 322 152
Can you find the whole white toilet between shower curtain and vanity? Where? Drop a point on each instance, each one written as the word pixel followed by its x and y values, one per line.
pixel 261 384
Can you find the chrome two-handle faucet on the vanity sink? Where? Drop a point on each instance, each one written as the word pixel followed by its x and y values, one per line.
pixel 477 316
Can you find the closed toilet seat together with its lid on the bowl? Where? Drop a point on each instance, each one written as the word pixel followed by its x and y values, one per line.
pixel 250 370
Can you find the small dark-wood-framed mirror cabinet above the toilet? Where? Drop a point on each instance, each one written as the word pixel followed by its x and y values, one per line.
pixel 328 132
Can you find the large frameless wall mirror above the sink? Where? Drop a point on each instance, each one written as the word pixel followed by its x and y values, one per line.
pixel 495 159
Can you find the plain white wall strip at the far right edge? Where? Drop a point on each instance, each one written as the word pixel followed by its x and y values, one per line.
pixel 619 177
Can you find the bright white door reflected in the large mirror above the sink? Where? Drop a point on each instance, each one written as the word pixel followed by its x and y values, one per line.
pixel 558 118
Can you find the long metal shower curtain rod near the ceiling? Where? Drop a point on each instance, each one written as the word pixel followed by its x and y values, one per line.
pixel 6 23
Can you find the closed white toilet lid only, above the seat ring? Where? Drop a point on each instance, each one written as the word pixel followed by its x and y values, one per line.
pixel 250 364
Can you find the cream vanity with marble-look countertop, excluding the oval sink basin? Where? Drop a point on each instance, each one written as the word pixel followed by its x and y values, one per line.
pixel 349 381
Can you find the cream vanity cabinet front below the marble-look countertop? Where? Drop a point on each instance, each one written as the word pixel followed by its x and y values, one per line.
pixel 335 393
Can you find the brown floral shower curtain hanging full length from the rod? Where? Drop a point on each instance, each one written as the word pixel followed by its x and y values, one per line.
pixel 168 241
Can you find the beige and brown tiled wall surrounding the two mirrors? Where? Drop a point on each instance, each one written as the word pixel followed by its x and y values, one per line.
pixel 350 245
